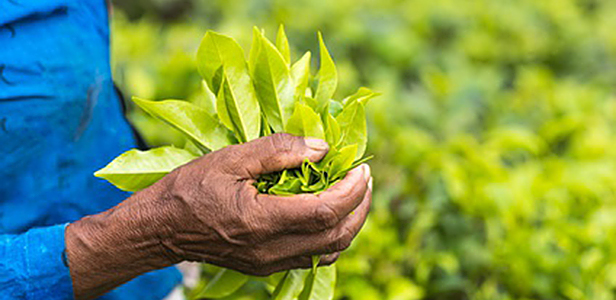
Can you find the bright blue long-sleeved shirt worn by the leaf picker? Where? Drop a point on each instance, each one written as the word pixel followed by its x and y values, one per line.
pixel 60 120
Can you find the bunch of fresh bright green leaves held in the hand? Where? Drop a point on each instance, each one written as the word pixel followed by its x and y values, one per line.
pixel 243 100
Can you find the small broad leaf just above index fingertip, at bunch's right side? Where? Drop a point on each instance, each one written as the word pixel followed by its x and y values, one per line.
pixel 353 128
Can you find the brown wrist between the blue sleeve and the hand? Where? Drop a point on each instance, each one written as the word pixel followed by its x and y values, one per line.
pixel 110 248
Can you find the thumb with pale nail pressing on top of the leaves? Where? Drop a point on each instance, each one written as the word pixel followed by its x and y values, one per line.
pixel 275 153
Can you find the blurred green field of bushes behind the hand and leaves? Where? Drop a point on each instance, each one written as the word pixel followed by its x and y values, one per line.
pixel 495 141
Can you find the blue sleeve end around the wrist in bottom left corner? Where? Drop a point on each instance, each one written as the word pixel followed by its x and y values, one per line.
pixel 32 265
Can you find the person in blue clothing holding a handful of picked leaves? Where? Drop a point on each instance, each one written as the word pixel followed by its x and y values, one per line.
pixel 66 234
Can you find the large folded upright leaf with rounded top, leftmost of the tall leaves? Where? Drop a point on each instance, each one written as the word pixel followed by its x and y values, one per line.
pixel 241 104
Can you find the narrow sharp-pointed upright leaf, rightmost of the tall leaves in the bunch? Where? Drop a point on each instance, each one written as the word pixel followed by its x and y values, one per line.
pixel 328 78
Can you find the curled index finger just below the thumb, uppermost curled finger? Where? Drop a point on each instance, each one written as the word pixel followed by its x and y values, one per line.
pixel 311 213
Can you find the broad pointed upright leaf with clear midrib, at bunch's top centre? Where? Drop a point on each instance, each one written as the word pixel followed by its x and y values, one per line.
pixel 274 85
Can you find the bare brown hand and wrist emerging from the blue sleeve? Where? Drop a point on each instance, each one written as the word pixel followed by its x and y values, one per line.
pixel 209 211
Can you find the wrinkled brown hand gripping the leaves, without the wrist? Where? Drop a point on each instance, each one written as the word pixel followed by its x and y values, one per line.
pixel 221 218
